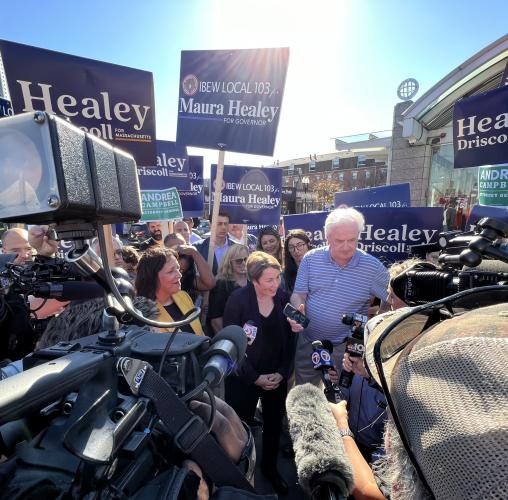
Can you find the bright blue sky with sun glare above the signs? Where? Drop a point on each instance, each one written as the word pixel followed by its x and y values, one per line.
pixel 347 56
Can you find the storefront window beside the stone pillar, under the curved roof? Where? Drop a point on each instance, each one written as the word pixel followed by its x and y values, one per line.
pixel 451 186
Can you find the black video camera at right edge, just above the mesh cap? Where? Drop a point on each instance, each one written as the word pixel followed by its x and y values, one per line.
pixel 425 282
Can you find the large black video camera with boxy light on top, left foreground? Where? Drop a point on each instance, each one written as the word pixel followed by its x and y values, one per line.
pixel 102 416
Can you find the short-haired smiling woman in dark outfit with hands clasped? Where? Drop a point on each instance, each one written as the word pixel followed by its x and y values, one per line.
pixel 257 307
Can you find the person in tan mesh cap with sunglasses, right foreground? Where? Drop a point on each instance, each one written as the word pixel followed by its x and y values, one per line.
pixel 442 366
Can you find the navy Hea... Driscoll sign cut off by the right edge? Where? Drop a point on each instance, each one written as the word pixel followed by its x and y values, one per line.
pixel 480 129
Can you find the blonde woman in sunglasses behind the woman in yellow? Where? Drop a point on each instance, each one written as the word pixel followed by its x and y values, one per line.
pixel 232 274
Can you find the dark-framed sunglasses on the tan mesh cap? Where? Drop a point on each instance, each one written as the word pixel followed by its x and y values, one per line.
pixel 416 322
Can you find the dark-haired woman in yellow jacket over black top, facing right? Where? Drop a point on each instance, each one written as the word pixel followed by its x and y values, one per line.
pixel 158 278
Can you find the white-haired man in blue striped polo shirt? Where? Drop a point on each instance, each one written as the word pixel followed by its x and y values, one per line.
pixel 334 280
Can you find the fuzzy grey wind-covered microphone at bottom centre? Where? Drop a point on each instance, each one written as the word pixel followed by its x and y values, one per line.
pixel 324 471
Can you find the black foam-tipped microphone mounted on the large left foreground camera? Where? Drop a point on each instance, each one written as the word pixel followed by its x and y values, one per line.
pixel 226 351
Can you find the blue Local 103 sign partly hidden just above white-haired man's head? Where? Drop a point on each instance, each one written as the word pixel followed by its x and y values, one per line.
pixel 396 196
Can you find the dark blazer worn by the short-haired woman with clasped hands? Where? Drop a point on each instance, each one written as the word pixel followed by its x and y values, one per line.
pixel 242 307
